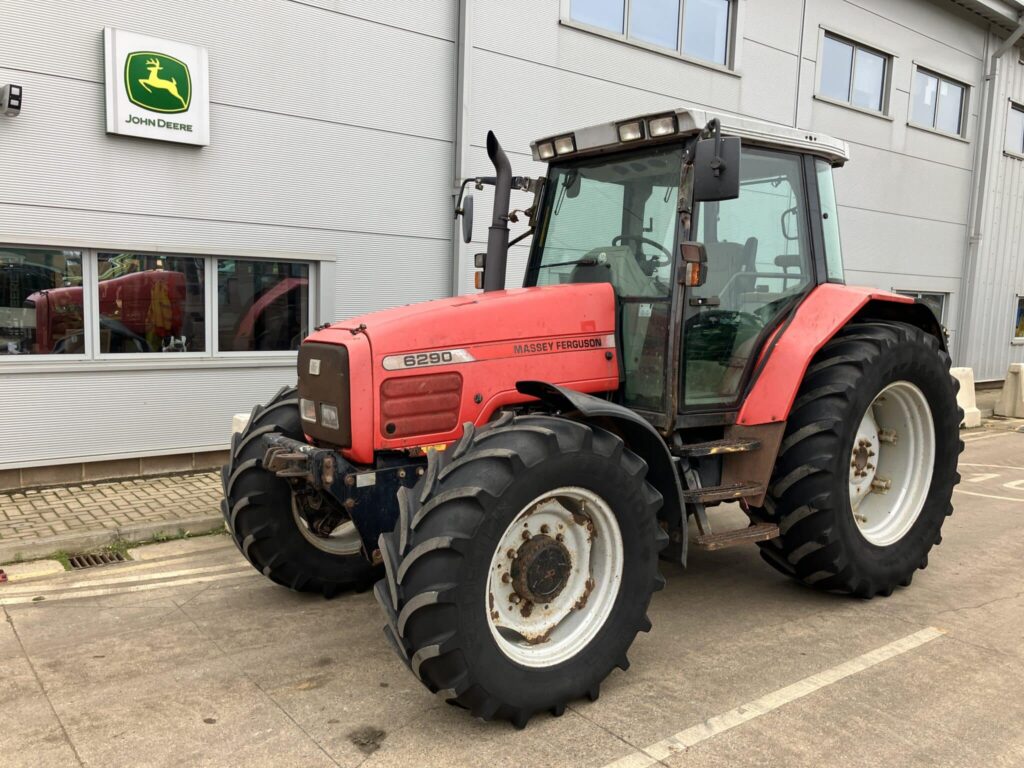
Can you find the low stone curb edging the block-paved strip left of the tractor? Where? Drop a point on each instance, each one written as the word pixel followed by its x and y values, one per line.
pixel 91 540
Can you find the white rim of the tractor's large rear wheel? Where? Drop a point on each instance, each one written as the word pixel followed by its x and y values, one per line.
pixel 891 463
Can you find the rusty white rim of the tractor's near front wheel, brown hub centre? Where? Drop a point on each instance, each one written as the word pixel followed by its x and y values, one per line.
pixel 547 633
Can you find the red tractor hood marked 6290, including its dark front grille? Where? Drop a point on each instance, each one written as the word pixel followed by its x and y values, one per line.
pixel 412 376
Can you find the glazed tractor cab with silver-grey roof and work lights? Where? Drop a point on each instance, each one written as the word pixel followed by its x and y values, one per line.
pixel 620 202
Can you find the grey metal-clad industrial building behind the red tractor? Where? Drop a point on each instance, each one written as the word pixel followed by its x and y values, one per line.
pixel 190 188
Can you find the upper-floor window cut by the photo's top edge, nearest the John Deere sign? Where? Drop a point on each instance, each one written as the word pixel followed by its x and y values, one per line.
pixel 701 29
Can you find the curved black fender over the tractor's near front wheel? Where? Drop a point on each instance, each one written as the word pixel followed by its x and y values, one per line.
pixel 638 435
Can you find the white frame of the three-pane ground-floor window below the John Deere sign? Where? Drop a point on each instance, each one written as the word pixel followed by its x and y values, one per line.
pixel 212 356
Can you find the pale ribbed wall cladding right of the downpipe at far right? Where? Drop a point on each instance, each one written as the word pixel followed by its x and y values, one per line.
pixel 1000 277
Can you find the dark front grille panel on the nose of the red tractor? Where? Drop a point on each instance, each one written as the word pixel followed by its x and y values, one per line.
pixel 324 379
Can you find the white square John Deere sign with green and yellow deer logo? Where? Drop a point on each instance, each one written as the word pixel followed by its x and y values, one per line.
pixel 156 89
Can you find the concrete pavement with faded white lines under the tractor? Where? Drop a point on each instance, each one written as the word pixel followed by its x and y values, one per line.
pixel 187 657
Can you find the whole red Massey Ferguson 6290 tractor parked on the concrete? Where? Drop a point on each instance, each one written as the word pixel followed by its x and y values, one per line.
pixel 511 464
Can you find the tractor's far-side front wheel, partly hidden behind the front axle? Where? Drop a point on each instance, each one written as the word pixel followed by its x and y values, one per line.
pixel 263 518
